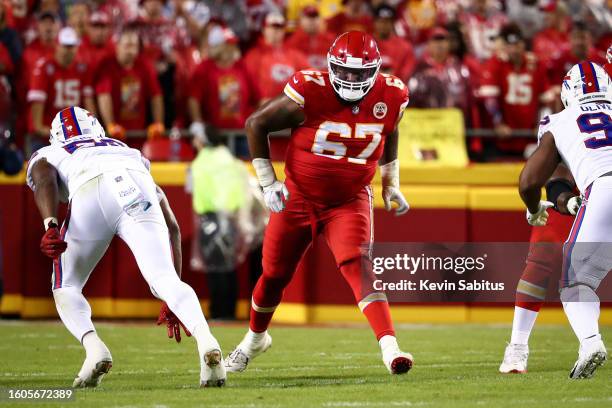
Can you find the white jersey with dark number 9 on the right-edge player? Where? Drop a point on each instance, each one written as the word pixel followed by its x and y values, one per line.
pixel 583 136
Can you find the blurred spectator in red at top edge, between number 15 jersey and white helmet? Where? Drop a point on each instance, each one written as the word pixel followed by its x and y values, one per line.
pixel 551 42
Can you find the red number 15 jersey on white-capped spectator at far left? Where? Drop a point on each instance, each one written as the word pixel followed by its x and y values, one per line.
pixel 58 87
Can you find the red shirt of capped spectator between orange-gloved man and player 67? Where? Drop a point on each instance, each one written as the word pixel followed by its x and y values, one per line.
pixel 225 94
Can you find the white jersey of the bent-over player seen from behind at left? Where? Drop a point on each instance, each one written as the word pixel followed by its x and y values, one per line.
pixel 78 160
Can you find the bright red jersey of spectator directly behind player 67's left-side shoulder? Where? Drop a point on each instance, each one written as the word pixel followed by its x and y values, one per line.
pixel 271 67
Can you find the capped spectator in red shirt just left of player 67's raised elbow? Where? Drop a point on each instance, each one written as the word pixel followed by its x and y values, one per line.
pixel 220 92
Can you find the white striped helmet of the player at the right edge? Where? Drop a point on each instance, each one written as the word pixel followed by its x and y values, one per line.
pixel 586 82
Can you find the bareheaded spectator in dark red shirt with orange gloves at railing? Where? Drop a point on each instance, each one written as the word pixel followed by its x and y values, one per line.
pixel 126 84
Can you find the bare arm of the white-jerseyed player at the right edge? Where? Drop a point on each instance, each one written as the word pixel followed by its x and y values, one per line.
pixel 537 171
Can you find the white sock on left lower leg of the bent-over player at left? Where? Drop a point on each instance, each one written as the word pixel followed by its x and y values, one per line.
pixel 74 311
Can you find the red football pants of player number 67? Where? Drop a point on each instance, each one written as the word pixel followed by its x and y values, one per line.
pixel 348 231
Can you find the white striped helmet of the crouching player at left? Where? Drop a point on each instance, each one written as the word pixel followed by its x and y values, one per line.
pixel 75 122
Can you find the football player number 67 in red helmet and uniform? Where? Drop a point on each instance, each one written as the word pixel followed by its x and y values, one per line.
pixel 344 123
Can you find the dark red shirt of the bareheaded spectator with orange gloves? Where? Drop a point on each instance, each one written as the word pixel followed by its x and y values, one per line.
pixel 131 90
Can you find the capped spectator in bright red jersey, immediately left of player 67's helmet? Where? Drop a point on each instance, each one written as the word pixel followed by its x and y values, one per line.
pixel 270 64
